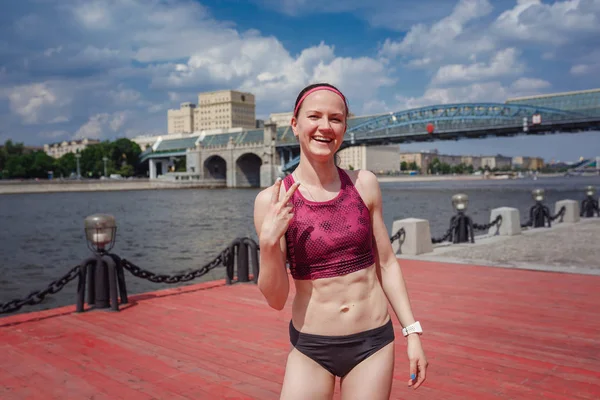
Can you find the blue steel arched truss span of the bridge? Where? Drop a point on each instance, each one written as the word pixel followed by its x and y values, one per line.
pixel 465 120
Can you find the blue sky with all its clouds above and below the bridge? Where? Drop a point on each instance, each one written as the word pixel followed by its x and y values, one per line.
pixel 112 68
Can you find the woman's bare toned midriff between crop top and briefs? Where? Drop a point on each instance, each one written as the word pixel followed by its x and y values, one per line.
pixel 341 305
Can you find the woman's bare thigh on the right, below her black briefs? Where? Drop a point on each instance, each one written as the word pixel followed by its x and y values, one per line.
pixel 372 378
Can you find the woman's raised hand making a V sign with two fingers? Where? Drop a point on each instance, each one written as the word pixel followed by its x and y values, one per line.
pixel 278 215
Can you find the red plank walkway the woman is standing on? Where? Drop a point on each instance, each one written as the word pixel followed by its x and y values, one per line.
pixel 491 333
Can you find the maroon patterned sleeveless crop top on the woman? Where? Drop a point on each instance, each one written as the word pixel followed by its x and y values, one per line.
pixel 330 238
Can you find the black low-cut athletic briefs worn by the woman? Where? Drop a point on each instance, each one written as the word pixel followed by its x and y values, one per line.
pixel 340 354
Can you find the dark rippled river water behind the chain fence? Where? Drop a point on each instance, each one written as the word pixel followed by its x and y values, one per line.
pixel 168 231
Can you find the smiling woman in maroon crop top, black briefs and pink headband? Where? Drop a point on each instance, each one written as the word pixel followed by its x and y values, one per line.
pixel 327 223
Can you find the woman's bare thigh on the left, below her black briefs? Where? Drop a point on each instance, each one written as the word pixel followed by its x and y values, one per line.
pixel 305 379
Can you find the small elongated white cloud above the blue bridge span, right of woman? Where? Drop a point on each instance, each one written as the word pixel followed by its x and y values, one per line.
pixel 502 63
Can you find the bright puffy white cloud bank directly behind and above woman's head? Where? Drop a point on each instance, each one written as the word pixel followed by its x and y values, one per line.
pixel 264 67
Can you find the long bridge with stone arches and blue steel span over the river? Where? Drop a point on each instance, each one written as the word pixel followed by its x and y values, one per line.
pixel 252 158
